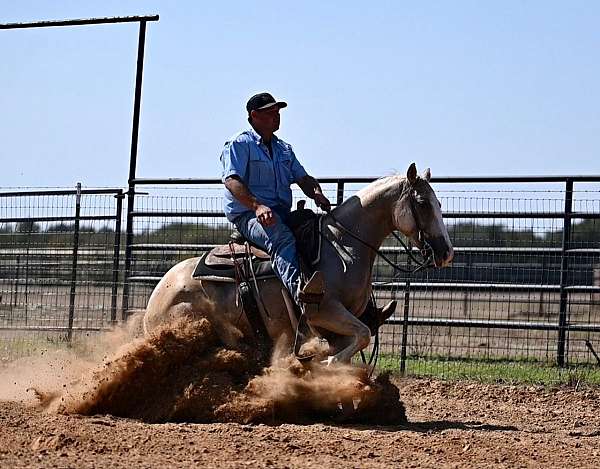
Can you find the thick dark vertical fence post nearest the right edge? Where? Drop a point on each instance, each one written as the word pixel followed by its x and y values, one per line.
pixel 564 273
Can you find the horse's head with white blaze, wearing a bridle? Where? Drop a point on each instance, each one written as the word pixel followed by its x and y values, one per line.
pixel 418 216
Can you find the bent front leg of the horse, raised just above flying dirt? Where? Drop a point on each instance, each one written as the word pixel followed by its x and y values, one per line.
pixel 332 316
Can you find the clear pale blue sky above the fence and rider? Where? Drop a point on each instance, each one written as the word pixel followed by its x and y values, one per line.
pixel 464 87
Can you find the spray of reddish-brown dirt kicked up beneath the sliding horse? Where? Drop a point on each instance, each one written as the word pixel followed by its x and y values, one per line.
pixel 181 373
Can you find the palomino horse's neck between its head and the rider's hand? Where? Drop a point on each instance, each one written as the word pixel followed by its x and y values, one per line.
pixel 369 214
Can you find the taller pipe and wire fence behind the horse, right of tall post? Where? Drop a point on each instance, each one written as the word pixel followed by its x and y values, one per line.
pixel 520 284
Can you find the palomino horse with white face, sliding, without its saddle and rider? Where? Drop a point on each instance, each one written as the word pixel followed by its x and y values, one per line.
pixel 359 225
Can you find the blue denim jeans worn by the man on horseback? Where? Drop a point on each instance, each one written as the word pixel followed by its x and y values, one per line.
pixel 278 241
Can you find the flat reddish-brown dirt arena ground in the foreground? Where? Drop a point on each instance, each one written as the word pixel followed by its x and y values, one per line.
pixel 450 425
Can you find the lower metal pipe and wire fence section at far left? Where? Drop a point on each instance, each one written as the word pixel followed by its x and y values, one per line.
pixel 59 266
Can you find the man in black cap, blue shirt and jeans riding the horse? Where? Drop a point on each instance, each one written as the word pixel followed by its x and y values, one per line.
pixel 258 170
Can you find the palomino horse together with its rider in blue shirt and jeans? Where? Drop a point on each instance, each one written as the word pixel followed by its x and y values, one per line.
pixel 215 287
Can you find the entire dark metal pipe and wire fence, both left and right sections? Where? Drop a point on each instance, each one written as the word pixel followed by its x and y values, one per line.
pixel 521 288
